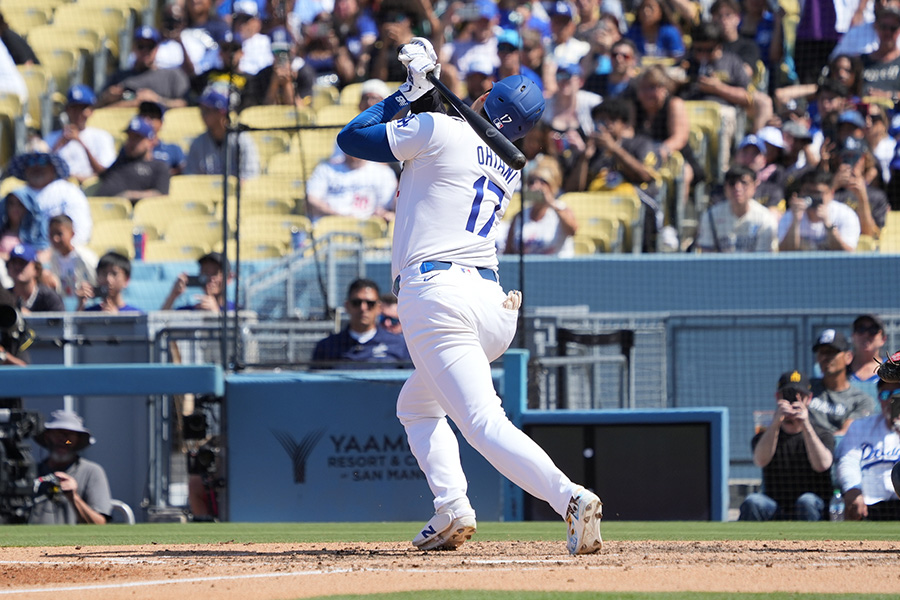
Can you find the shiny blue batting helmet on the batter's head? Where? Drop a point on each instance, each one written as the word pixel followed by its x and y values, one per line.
pixel 514 105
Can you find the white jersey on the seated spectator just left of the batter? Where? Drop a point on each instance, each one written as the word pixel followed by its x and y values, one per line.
pixel 354 192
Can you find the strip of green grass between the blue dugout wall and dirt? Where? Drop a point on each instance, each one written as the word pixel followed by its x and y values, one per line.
pixel 212 533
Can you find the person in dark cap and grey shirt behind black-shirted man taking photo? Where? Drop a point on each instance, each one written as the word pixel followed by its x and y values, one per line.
pixel 835 402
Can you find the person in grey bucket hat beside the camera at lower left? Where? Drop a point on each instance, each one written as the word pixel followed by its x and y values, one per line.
pixel 85 494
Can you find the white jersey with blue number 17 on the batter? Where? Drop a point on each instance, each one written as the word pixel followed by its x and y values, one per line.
pixel 450 218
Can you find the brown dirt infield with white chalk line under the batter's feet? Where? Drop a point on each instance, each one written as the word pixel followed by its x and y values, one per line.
pixel 232 571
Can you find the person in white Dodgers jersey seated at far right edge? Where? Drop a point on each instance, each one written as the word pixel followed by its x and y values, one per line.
pixel 866 456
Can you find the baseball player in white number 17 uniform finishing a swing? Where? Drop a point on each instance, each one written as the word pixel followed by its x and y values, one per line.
pixel 456 318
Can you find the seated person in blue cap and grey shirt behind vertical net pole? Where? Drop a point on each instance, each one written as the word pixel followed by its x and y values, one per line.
pixel 206 155
